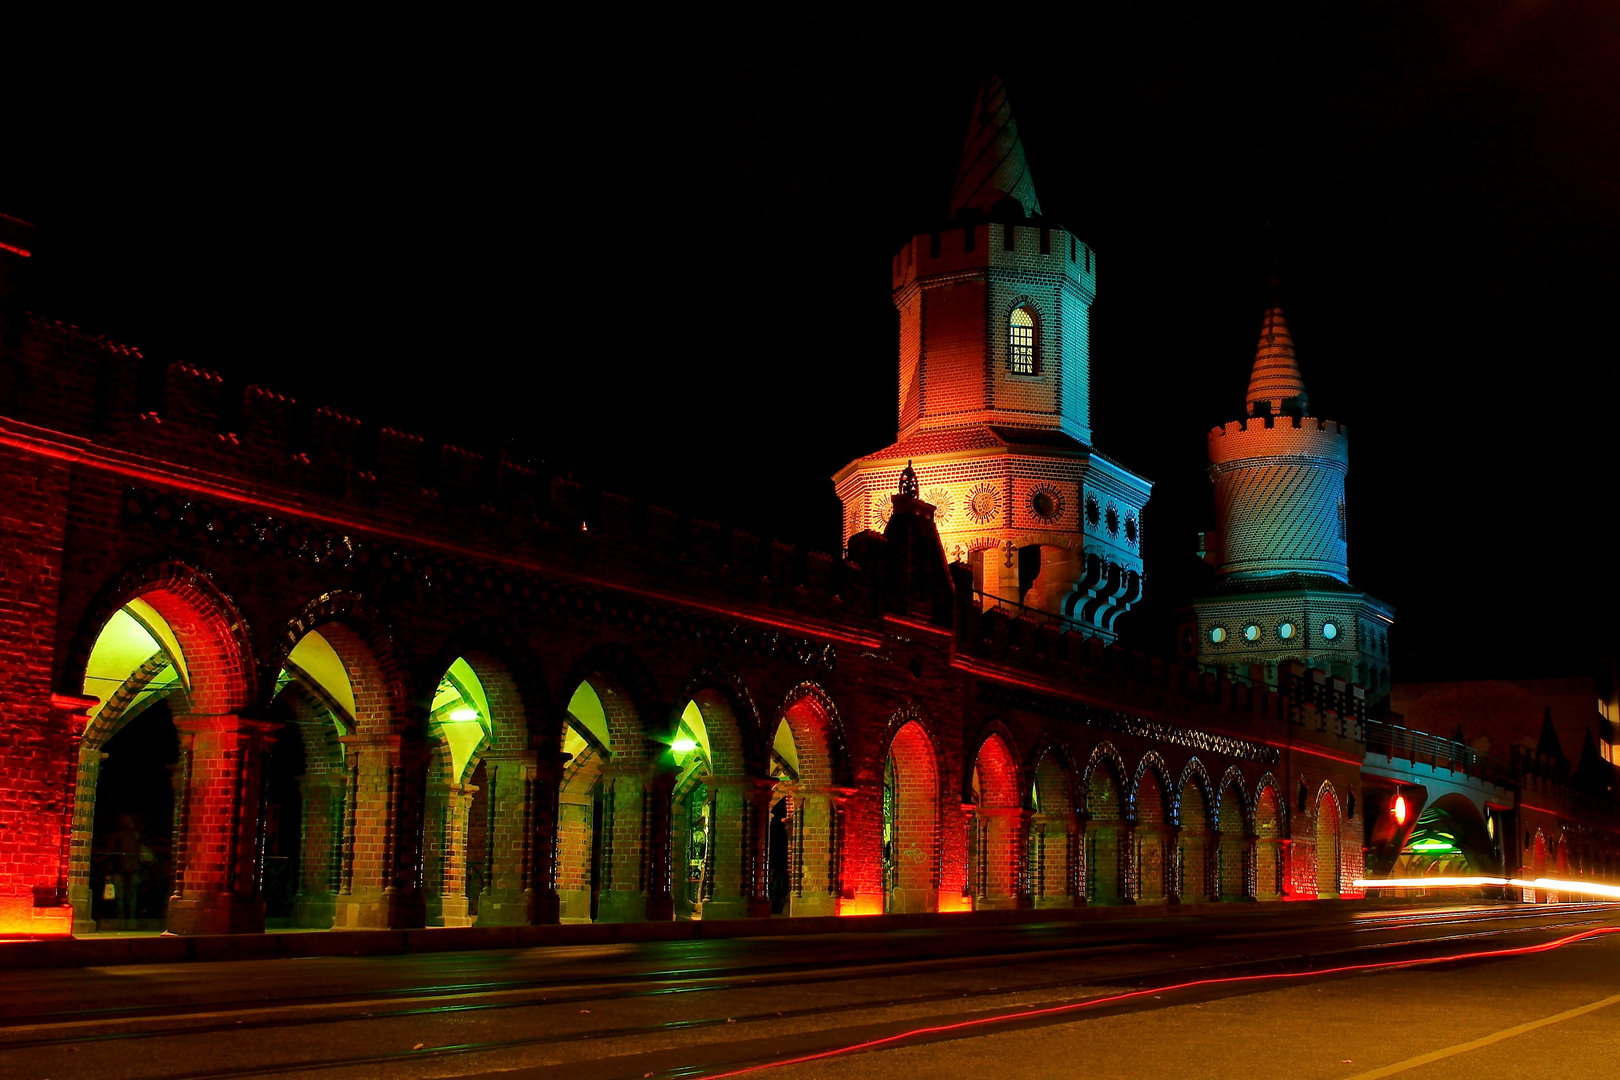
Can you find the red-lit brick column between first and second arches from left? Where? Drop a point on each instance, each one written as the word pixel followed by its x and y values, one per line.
pixel 220 817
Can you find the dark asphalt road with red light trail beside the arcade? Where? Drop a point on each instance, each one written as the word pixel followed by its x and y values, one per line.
pixel 707 1008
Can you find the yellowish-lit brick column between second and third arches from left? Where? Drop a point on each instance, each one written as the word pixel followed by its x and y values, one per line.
pixel 380 882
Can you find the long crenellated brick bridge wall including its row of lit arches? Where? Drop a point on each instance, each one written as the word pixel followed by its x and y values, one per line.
pixel 406 684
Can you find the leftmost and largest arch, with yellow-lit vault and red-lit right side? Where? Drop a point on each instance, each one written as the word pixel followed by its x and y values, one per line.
pixel 171 678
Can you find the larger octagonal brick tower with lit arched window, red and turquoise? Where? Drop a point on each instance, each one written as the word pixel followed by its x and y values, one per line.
pixel 995 399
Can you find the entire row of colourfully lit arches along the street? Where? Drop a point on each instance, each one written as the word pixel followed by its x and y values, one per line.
pixel 347 796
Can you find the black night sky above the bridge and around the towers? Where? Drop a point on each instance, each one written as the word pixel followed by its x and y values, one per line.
pixel 663 266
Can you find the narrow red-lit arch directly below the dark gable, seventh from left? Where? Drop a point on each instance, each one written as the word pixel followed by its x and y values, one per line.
pixel 911 823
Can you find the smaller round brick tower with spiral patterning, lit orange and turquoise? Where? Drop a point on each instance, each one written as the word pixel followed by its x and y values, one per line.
pixel 1281 546
